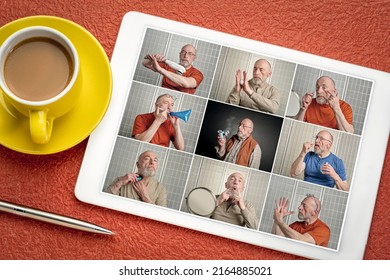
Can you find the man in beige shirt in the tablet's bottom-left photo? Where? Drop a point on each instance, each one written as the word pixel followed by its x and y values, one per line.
pixel 141 185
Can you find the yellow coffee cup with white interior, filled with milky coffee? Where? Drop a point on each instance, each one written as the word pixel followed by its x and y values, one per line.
pixel 39 75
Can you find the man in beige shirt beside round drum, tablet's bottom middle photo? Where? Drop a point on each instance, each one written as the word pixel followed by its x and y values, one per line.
pixel 231 206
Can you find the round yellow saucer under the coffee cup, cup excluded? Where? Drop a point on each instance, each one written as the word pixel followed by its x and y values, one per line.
pixel 78 124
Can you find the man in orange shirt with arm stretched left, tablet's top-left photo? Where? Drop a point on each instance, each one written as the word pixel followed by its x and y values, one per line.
pixel 186 82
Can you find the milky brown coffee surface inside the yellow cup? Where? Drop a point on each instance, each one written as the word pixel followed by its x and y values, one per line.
pixel 38 69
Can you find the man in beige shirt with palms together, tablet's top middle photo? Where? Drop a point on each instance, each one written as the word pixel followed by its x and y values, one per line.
pixel 255 93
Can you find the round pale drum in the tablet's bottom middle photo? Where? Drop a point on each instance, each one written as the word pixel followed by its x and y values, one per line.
pixel 201 201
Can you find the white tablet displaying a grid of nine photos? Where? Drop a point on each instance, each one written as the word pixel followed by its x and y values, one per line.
pixel 219 143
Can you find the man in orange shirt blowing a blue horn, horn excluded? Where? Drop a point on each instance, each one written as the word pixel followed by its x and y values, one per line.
pixel 159 127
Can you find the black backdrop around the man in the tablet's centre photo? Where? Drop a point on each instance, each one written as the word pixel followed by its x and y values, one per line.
pixel 221 116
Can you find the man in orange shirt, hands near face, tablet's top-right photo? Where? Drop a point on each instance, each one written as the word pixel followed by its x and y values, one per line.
pixel 326 109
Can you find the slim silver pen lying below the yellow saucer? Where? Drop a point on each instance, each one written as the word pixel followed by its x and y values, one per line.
pixel 51 218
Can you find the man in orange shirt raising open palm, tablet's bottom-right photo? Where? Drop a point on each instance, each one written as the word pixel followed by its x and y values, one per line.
pixel 310 229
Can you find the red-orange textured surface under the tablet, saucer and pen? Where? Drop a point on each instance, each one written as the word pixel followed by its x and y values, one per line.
pixel 352 31
